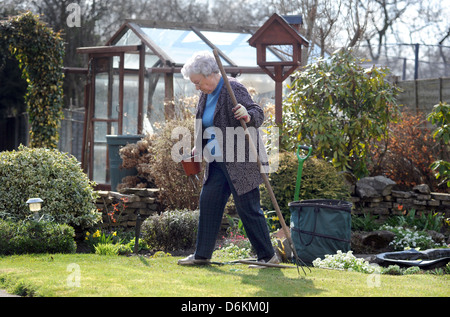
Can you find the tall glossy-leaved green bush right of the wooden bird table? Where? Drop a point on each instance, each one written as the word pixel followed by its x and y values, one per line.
pixel 339 108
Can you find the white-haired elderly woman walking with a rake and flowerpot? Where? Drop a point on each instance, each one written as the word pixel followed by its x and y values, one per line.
pixel 225 176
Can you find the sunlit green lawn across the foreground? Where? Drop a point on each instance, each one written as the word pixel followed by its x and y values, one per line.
pixel 76 275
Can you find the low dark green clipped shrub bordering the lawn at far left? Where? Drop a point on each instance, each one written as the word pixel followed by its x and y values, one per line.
pixel 35 237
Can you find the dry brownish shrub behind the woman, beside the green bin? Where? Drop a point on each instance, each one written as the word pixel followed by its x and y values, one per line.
pixel 152 157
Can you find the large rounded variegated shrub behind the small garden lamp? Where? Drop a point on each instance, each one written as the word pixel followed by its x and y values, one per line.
pixel 55 177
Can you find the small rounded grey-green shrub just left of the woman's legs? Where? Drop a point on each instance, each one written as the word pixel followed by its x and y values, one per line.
pixel 171 230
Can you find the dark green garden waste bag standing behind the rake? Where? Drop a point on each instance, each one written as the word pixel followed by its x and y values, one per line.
pixel 320 227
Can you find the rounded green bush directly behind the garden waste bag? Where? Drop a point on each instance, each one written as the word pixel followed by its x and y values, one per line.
pixel 320 180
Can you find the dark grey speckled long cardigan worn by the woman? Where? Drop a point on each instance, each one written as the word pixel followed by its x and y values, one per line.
pixel 246 175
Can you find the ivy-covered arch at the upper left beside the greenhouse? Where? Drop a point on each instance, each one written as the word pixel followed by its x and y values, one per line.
pixel 40 52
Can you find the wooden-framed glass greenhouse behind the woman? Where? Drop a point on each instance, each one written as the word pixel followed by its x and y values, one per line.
pixel 135 81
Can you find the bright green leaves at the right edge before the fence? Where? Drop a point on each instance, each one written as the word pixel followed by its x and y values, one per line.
pixel 440 116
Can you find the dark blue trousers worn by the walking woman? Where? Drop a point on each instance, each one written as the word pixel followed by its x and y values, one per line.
pixel 213 198
